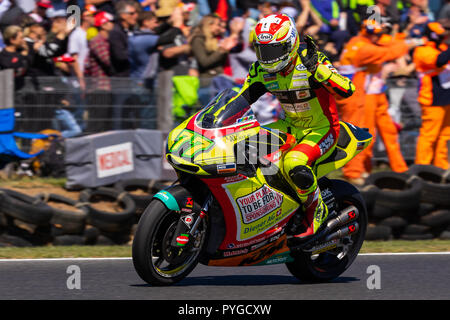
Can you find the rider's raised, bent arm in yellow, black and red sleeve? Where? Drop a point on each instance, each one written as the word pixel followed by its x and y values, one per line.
pixel 328 76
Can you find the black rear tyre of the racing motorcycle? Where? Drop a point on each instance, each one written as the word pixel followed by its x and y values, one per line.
pixel 330 264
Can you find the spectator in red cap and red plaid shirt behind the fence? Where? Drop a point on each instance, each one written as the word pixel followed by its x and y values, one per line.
pixel 99 66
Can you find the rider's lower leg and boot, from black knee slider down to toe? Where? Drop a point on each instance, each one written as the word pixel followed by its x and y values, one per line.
pixel 316 211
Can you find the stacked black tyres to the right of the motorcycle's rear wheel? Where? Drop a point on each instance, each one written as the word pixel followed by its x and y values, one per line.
pixel 414 205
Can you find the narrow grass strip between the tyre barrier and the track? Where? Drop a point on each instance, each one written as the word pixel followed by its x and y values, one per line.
pixel 125 250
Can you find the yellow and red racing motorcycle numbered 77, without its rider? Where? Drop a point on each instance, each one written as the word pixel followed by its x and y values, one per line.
pixel 232 205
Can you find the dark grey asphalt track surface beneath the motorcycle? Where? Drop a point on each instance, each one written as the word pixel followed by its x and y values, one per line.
pixel 402 276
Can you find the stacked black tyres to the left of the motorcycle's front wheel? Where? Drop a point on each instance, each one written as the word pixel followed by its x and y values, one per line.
pixel 49 218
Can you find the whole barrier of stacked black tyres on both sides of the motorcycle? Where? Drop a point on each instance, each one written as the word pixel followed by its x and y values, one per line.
pixel 410 206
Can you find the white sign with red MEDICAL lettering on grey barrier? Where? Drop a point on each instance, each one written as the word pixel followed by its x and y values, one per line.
pixel 114 160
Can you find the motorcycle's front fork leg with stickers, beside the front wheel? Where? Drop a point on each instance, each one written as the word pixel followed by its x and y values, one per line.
pixel 188 224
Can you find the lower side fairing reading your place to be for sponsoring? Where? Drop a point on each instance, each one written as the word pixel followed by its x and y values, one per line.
pixel 251 238
